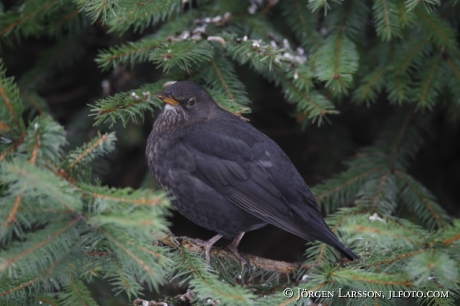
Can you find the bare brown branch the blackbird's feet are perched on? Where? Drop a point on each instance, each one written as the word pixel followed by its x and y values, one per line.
pixel 255 261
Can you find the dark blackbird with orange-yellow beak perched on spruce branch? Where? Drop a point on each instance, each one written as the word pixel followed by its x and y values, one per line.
pixel 225 175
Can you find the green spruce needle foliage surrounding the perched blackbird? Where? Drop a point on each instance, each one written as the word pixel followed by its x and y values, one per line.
pixel 61 228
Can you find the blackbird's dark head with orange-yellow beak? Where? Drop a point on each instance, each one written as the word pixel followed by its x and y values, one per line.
pixel 188 99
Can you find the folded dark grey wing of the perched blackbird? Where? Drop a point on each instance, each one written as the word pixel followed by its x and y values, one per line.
pixel 235 163
